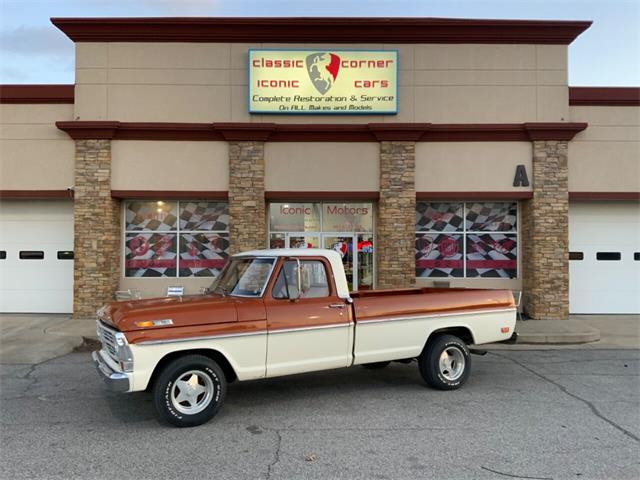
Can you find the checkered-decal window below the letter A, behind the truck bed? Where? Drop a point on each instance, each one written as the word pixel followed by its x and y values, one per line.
pixel 466 239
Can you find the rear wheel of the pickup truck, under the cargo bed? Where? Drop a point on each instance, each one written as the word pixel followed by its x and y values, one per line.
pixel 446 363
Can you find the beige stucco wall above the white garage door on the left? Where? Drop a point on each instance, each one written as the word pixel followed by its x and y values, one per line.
pixel 34 154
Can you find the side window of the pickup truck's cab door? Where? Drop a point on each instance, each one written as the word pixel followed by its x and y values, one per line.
pixel 313 277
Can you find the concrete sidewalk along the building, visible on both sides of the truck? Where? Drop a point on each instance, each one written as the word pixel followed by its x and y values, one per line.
pixel 33 338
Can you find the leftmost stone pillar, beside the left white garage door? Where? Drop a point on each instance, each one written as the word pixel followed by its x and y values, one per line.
pixel 97 229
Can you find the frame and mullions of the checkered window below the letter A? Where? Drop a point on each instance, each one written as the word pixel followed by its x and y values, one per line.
pixel 464 233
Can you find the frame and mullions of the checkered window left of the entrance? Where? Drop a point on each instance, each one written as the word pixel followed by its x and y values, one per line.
pixel 177 232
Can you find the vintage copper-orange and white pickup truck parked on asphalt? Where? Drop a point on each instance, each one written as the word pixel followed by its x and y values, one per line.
pixel 286 311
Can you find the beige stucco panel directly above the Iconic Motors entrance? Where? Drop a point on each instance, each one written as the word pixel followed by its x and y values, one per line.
pixel 322 166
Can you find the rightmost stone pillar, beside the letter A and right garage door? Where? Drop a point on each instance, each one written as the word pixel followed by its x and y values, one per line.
pixel 545 234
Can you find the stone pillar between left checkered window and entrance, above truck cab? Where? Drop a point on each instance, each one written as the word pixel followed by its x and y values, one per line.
pixel 247 225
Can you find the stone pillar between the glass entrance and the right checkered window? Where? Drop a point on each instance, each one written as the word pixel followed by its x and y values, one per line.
pixel 396 216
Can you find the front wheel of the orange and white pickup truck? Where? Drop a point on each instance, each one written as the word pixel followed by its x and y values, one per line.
pixel 189 391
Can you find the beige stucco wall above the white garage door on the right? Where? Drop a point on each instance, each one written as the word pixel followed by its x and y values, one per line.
pixel 606 156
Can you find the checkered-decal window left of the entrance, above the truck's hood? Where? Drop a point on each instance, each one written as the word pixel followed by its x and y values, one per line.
pixel 175 238
